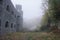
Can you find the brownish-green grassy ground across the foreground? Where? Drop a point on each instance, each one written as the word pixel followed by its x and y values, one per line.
pixel 31 36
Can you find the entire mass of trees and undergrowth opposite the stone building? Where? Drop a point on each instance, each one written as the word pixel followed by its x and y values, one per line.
pixel 51 19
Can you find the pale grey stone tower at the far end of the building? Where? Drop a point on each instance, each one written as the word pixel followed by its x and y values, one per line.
pixel 19 9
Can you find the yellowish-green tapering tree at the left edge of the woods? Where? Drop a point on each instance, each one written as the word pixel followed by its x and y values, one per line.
pixel 45 23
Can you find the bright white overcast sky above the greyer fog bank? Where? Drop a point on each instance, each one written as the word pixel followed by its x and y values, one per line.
pixel 31 8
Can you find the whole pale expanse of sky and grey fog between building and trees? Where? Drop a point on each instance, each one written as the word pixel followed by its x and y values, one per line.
pixel 32 12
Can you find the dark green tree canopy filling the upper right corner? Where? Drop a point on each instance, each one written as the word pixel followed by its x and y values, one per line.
pixel 54 9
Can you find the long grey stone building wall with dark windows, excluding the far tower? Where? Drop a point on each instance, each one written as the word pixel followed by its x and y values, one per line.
pixel 9 17
